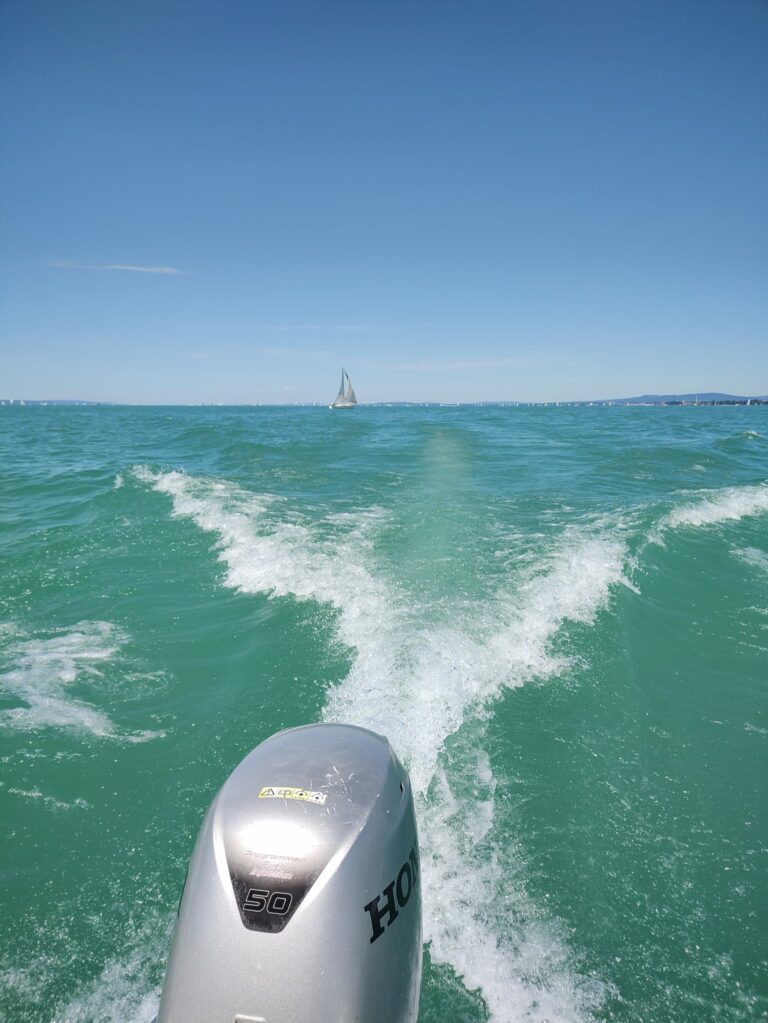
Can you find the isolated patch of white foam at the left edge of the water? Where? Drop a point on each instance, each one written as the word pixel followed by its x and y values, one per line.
pixel 44 671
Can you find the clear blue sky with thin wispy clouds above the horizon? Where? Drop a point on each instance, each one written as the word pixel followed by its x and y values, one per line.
pixel 458 201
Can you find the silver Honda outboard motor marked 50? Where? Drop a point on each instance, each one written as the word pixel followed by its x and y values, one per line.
pixel 303 902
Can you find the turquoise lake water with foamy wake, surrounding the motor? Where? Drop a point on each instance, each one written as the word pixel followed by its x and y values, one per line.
pixel 559 616
